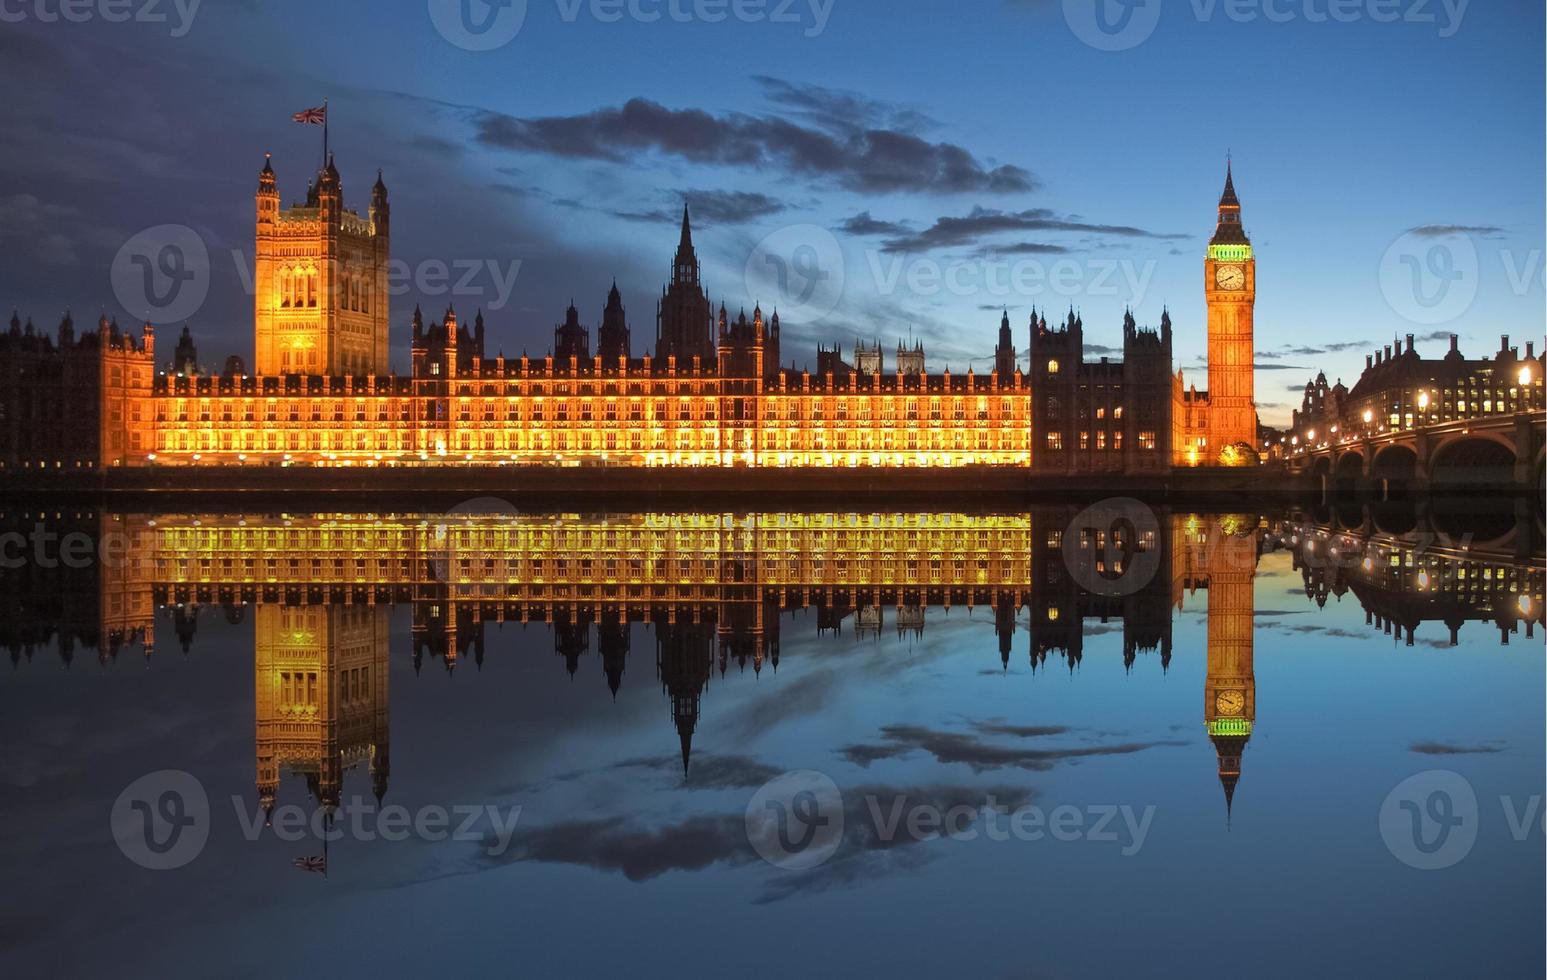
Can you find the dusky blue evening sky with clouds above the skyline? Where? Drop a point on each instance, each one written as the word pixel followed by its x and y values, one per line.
pixel 1091 176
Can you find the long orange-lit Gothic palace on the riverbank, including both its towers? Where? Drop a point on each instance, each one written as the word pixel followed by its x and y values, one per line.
pixel 714 392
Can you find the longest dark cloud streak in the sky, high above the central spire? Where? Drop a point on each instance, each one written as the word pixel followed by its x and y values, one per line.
pixel 873 160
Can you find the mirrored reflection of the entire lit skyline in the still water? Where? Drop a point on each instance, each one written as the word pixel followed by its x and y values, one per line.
pixel 712 591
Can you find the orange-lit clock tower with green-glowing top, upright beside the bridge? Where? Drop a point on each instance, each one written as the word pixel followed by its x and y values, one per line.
pixel 1231 290
